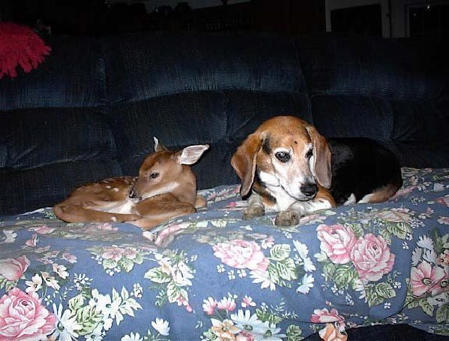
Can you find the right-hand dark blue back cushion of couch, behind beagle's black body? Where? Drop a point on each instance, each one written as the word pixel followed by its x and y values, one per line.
pixel 393 90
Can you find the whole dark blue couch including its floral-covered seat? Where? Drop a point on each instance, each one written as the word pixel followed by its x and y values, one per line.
pixel 90 111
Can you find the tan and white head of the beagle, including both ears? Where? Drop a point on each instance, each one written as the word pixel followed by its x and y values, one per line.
pixel 284 151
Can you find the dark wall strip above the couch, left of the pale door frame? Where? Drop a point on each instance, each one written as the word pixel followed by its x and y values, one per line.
pixel 290 17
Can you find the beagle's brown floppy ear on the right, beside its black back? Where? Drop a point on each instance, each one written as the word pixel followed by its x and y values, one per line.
pixel 321 167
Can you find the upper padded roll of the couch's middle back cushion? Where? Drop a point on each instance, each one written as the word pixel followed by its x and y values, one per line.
pixel 142 66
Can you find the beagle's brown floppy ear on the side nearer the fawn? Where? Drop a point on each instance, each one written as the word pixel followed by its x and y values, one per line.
pixel 244 161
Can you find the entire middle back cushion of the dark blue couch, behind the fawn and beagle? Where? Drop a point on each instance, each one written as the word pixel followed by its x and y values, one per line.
pixel 199 88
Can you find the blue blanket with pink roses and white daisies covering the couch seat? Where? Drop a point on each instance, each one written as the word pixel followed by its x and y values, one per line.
pixel 210 275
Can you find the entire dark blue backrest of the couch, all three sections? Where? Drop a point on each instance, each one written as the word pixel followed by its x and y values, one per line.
pixel 90 111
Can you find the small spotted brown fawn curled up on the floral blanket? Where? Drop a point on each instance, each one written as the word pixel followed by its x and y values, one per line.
pixel 165 188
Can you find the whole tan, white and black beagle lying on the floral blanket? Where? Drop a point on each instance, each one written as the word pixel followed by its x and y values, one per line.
pixel 286 166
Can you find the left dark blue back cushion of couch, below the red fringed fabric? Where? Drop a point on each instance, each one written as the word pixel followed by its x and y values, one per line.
pixel 54 134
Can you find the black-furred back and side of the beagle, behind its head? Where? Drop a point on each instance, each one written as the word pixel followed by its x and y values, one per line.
pixel 361 166
